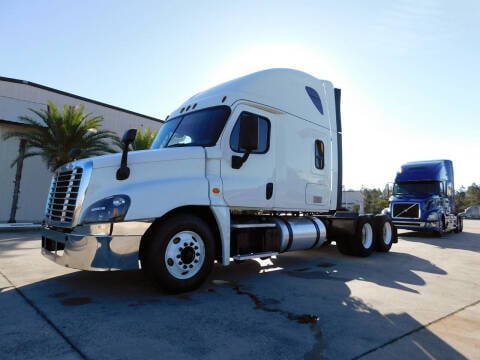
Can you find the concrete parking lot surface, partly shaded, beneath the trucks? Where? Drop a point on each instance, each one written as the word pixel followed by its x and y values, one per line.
pixel 420 301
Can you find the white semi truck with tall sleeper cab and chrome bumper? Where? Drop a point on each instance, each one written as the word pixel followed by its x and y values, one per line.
pixel 248 169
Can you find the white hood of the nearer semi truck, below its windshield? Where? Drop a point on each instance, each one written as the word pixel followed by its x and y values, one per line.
pixel 168 178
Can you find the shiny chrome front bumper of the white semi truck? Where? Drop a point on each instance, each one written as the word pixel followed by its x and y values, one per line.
pixel 96 247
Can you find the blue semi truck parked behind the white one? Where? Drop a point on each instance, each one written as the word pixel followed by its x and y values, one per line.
pixel 423 197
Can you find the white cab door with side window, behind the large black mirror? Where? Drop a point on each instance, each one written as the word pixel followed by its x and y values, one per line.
pixel 251 185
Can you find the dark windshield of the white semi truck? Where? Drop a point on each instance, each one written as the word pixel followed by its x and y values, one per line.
pixel 200 128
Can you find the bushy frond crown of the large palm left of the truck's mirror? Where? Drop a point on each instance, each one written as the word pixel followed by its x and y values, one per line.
pixel 53 134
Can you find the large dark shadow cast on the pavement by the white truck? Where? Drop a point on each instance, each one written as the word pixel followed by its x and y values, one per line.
pixel 298 305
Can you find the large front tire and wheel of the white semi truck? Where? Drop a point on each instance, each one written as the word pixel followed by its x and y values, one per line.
pixel 180 255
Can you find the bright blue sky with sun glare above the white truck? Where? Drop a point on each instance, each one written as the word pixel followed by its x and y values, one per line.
pixel 408 69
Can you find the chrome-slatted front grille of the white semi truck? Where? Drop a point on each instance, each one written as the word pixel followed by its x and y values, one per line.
pixel 63 195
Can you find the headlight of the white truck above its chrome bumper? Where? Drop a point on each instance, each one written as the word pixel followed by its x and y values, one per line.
pixel 111 209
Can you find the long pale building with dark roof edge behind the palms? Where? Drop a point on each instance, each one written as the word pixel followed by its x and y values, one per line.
pixel 16 98
